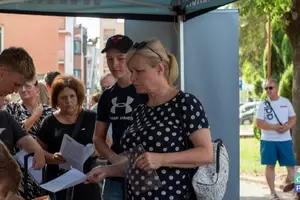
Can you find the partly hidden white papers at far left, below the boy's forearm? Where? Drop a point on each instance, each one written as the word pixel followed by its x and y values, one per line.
pixel 36 174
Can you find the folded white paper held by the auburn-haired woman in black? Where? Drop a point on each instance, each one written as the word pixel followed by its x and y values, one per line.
pixel 74 153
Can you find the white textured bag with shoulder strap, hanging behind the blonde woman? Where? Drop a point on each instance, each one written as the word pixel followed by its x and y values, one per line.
pixel 209 181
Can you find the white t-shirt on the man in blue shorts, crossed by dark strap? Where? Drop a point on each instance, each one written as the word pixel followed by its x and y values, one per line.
pixel 283 109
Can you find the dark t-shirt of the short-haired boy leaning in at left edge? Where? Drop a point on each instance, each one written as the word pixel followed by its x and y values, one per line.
pixel 10 131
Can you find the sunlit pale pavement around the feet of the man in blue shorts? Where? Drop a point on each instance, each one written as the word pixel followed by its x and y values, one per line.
pixel 254 191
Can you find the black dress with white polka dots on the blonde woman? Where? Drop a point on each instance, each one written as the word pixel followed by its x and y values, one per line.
pixel 159 129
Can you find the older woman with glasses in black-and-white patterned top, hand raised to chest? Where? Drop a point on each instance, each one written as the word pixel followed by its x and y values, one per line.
pixel 29 113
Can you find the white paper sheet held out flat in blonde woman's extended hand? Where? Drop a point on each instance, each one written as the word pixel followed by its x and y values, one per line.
pixel 67 180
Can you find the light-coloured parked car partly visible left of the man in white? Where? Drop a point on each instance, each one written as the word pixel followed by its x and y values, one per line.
pixel 247 112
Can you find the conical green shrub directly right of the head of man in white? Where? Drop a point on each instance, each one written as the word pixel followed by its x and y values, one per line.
pixel 286 84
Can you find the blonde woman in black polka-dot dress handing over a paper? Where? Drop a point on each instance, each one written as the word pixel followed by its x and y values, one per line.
pixel 161 126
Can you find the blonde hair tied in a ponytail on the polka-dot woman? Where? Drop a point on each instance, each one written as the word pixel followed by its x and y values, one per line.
pixel 156 53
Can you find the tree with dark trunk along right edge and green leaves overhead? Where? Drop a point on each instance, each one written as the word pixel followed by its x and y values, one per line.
pixel 286 14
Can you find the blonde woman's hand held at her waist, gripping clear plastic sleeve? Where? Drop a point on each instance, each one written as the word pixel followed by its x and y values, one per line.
pixel 149 161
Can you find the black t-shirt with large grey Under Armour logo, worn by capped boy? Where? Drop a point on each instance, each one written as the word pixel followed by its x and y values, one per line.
pixel 115 106
